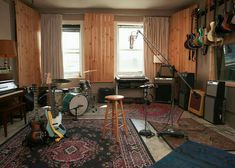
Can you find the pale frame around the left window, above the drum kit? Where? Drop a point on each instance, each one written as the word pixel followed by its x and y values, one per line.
pixel 81 57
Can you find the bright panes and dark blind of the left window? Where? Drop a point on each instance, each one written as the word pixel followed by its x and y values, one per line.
pixel 71 43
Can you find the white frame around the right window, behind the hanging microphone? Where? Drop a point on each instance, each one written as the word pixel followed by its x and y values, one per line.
pixel 117 72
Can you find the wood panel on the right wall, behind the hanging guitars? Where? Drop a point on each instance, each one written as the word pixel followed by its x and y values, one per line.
pixel 180 26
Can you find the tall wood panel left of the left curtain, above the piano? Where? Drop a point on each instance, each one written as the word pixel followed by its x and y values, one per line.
pixel 28 44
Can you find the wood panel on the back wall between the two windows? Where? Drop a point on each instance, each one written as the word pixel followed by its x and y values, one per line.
pixel 99 46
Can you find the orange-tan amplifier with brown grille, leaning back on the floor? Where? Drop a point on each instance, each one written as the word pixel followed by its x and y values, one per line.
pixel 196 102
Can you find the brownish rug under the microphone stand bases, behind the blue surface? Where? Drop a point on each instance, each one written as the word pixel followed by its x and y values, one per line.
pixel 197 132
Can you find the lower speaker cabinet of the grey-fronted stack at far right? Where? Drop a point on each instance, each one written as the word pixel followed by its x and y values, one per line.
pixel 214 110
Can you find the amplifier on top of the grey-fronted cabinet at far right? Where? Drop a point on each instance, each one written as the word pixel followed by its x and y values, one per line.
pixel 216 89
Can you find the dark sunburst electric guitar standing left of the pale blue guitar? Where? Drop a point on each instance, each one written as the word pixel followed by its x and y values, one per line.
pixel 37 133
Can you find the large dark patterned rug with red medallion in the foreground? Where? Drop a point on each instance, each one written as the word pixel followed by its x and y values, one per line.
pixel 84 147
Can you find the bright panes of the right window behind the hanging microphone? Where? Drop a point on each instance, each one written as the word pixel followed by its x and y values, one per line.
pixel 129 61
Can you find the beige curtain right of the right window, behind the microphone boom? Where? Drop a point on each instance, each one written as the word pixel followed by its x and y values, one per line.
pixel 156 29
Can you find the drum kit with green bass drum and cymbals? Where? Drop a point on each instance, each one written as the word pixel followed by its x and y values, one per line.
pixel 76 100
